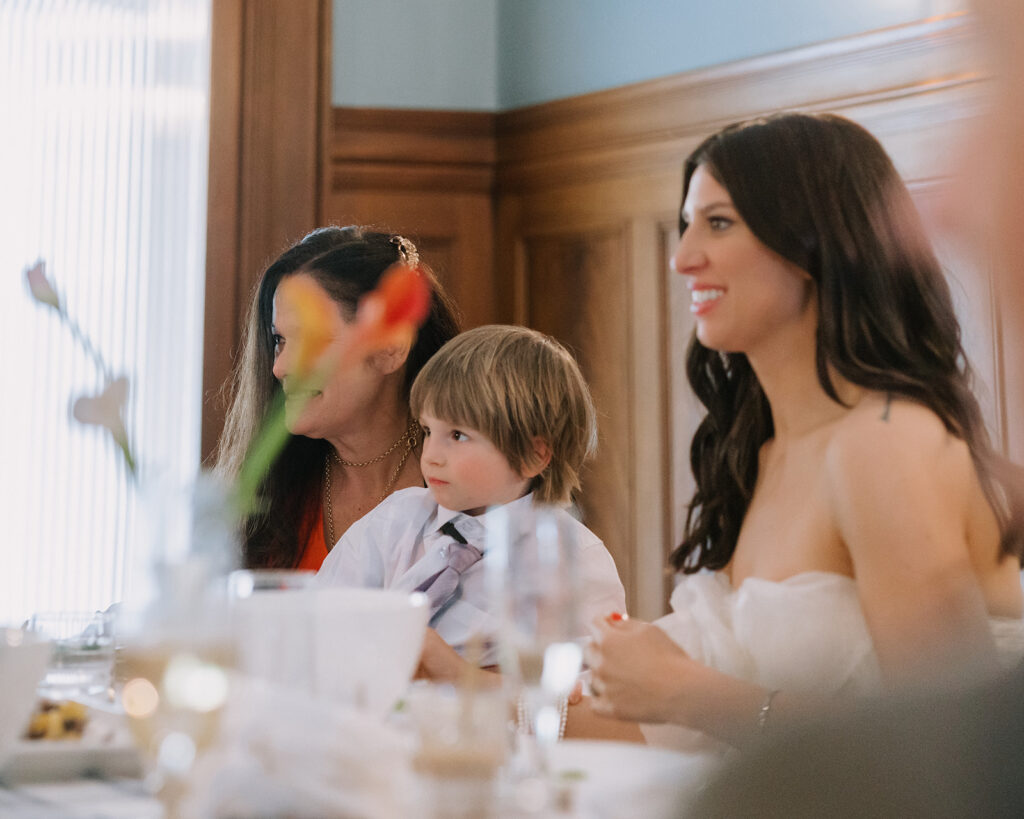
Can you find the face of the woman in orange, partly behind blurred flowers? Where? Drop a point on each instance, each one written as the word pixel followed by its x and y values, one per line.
pixel 346 397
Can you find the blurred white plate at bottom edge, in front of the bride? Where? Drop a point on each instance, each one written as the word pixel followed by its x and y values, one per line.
pixel 615 780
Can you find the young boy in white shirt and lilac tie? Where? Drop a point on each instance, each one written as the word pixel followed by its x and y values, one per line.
pixel 508 421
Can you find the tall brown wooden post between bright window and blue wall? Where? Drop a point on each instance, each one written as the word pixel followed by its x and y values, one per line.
pixel 270 93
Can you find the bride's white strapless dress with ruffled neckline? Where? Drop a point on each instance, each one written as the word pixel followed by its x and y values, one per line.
pixel 807 633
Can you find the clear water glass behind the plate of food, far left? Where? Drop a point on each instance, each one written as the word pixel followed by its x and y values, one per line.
pixel 82 660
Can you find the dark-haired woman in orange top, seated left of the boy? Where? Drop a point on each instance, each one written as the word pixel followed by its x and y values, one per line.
pixel 355 442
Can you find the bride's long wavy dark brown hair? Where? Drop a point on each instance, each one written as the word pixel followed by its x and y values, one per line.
pixel 822 192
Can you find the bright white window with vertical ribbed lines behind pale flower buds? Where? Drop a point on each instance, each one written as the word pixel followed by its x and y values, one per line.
pixel 104 147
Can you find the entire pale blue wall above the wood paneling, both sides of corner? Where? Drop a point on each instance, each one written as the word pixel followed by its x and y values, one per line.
pixel 500 55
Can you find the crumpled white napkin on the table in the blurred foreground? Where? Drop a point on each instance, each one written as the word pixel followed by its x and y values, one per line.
pixel 285 754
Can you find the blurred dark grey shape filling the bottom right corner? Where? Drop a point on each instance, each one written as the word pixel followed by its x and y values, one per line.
pixel 937 756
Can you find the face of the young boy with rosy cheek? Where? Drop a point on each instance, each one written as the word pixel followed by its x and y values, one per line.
pixel 464 470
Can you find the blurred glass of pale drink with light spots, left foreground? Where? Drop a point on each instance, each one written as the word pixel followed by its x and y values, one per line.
pixel 176 655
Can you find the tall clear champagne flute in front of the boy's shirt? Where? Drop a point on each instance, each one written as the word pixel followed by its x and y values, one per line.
pixel 535 577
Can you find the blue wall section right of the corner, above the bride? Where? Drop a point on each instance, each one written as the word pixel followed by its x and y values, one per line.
pixel 549 50
